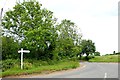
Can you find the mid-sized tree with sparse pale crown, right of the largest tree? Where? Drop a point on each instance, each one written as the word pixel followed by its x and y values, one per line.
pixel 67 39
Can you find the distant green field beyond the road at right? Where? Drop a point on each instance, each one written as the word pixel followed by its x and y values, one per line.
pixel 107 58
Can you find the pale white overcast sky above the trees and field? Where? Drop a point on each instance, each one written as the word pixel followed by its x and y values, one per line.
pixel 97 19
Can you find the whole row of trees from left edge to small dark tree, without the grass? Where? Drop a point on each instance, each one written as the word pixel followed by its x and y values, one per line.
pixel 33 27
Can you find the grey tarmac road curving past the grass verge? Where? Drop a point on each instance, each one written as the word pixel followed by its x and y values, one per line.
pixel 89 70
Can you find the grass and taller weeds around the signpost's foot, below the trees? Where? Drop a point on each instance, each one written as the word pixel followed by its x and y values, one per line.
pixel 39 67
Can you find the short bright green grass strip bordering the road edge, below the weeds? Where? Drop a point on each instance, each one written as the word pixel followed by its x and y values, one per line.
pixel 64 65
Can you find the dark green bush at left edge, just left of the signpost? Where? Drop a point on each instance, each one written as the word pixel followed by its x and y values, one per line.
pixel 9 48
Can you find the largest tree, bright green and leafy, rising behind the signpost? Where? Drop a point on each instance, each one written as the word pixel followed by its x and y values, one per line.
pixel 34 26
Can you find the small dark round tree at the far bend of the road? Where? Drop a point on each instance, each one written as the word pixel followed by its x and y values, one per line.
pixel 88 47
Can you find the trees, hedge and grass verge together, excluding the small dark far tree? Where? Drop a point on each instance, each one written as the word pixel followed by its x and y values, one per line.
pixel 53 45
